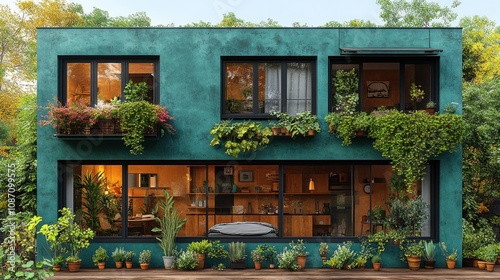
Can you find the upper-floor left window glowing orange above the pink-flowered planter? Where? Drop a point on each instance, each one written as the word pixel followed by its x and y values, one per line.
pixel 100 80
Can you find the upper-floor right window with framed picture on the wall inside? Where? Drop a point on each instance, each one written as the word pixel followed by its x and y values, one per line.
pixel 388 81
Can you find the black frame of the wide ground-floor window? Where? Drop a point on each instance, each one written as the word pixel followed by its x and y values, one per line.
pixel 62 202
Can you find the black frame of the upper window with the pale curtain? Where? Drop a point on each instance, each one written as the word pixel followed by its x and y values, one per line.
pixel 283 60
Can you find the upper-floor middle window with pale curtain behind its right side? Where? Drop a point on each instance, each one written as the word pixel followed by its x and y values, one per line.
pixel 261 86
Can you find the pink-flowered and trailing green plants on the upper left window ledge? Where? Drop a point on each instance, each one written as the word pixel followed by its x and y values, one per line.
pixel 132 119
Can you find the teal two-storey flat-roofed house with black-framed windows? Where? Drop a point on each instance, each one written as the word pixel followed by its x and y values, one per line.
pixel 205 75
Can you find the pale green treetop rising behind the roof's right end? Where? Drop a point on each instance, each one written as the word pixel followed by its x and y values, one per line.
pixel 416 13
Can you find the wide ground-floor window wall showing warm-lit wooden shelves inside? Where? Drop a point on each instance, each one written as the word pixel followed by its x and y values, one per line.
pixel 298 200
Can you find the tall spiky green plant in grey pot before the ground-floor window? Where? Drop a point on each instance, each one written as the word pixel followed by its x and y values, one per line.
pixel 170 223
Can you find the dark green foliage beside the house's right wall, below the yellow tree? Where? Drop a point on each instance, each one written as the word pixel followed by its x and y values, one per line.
pixel 481 147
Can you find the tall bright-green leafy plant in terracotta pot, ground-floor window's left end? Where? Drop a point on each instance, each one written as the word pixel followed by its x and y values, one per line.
pixel 76 238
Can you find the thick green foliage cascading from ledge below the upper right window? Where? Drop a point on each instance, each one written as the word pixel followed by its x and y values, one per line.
pixel 410 140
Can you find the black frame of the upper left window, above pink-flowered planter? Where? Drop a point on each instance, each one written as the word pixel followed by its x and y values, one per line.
pixel 94 61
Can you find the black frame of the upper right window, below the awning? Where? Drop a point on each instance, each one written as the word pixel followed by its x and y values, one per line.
pixel 433 61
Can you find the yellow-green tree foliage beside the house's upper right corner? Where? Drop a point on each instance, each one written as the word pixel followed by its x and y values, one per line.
pixel 480 49
